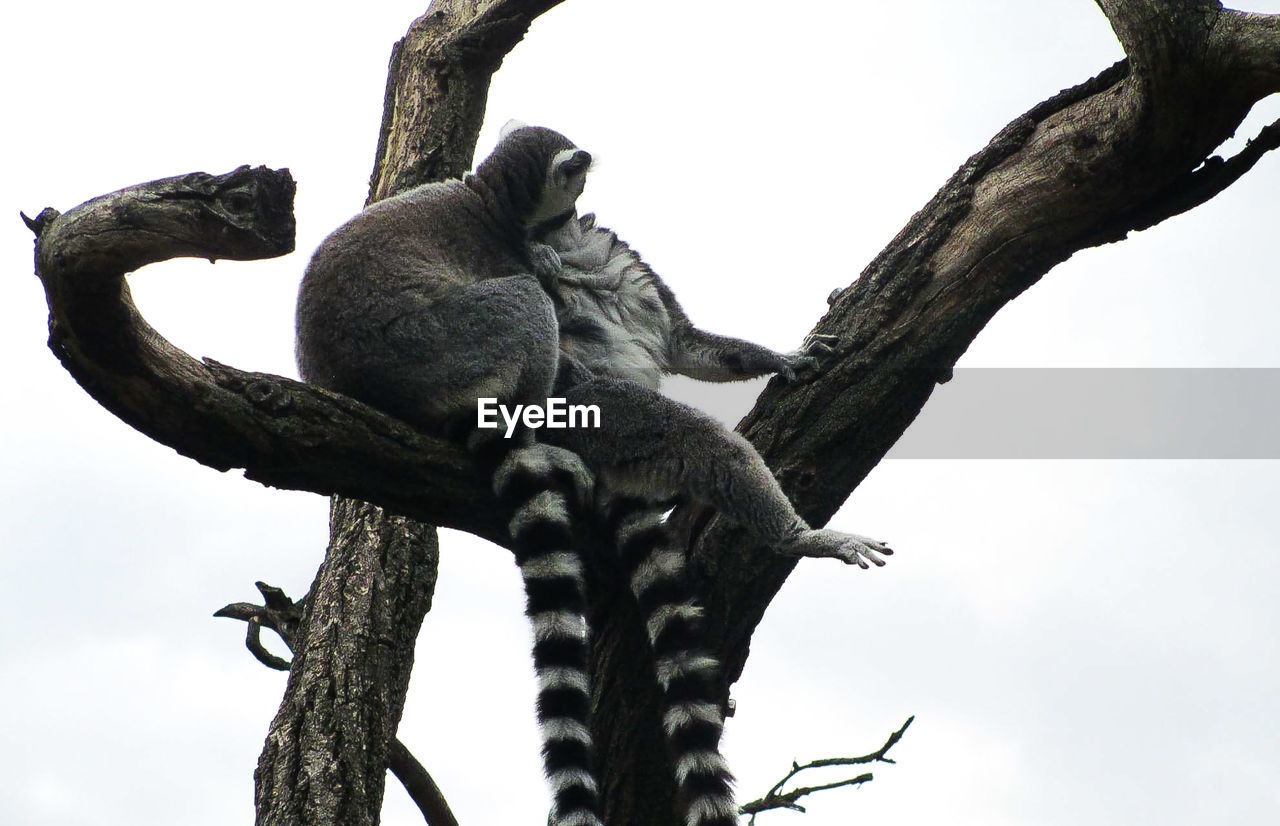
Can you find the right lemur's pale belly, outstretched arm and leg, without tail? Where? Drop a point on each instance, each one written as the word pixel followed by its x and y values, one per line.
pixel 623 328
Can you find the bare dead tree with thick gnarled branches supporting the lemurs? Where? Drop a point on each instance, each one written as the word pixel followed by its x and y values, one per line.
pixel 1122 152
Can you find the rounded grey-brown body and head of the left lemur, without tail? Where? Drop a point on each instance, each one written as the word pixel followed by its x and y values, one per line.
pixel 429 300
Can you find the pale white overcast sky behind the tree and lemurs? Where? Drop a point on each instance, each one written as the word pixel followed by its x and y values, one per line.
pixel 1081 641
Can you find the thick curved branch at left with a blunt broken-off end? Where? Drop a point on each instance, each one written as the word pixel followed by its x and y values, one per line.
pixel 285 433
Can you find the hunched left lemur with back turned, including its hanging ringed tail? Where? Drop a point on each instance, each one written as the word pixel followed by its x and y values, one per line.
pixel 423 304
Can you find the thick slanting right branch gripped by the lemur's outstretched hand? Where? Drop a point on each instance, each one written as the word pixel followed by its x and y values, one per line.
pixel 1084 168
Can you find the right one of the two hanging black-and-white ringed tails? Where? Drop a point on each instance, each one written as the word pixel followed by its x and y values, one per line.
pixel 688 676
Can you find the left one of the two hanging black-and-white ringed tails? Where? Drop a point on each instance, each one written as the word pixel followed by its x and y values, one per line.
pixel 538 485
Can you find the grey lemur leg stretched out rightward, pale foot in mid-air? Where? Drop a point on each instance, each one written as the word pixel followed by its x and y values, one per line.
pixel 656 446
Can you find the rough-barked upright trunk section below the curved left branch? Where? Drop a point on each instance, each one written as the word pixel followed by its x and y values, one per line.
pixel 327 755
